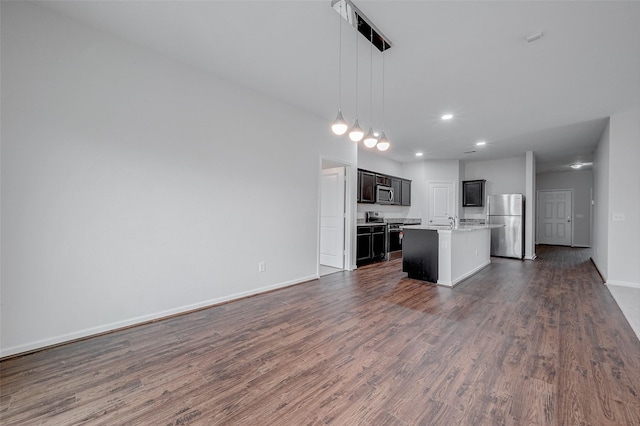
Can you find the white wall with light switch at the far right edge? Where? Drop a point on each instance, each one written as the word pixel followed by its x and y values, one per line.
pixel 624 198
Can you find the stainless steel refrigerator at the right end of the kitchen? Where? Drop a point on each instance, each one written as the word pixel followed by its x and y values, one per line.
pixel 507 210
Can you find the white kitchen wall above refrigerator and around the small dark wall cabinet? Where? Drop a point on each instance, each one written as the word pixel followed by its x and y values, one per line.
pixel 504 176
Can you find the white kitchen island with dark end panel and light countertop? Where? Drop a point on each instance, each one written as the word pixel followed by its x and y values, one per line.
pixel 445 255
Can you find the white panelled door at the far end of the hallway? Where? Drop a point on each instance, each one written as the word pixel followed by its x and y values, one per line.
pixel 555 217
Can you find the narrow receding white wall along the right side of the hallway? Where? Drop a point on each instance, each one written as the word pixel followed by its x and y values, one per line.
pixel 600 230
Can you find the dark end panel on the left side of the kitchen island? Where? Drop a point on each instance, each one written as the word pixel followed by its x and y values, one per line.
pixel 420 254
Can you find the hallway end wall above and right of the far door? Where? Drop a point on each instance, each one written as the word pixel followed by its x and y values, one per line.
pixel 581 182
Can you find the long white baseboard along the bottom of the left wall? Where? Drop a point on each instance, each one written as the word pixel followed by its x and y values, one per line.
pixel 93 331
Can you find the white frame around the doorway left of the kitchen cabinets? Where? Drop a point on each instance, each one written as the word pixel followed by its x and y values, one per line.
pixel 349 210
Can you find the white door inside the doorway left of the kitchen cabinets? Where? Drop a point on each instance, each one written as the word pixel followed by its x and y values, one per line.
pixel 332 217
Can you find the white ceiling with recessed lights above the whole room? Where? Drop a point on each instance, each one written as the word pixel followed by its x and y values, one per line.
pixel 551 96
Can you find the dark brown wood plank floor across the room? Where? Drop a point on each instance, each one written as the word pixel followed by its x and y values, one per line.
pixel 519 343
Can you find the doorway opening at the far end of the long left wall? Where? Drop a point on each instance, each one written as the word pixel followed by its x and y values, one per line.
pixel 333 218
